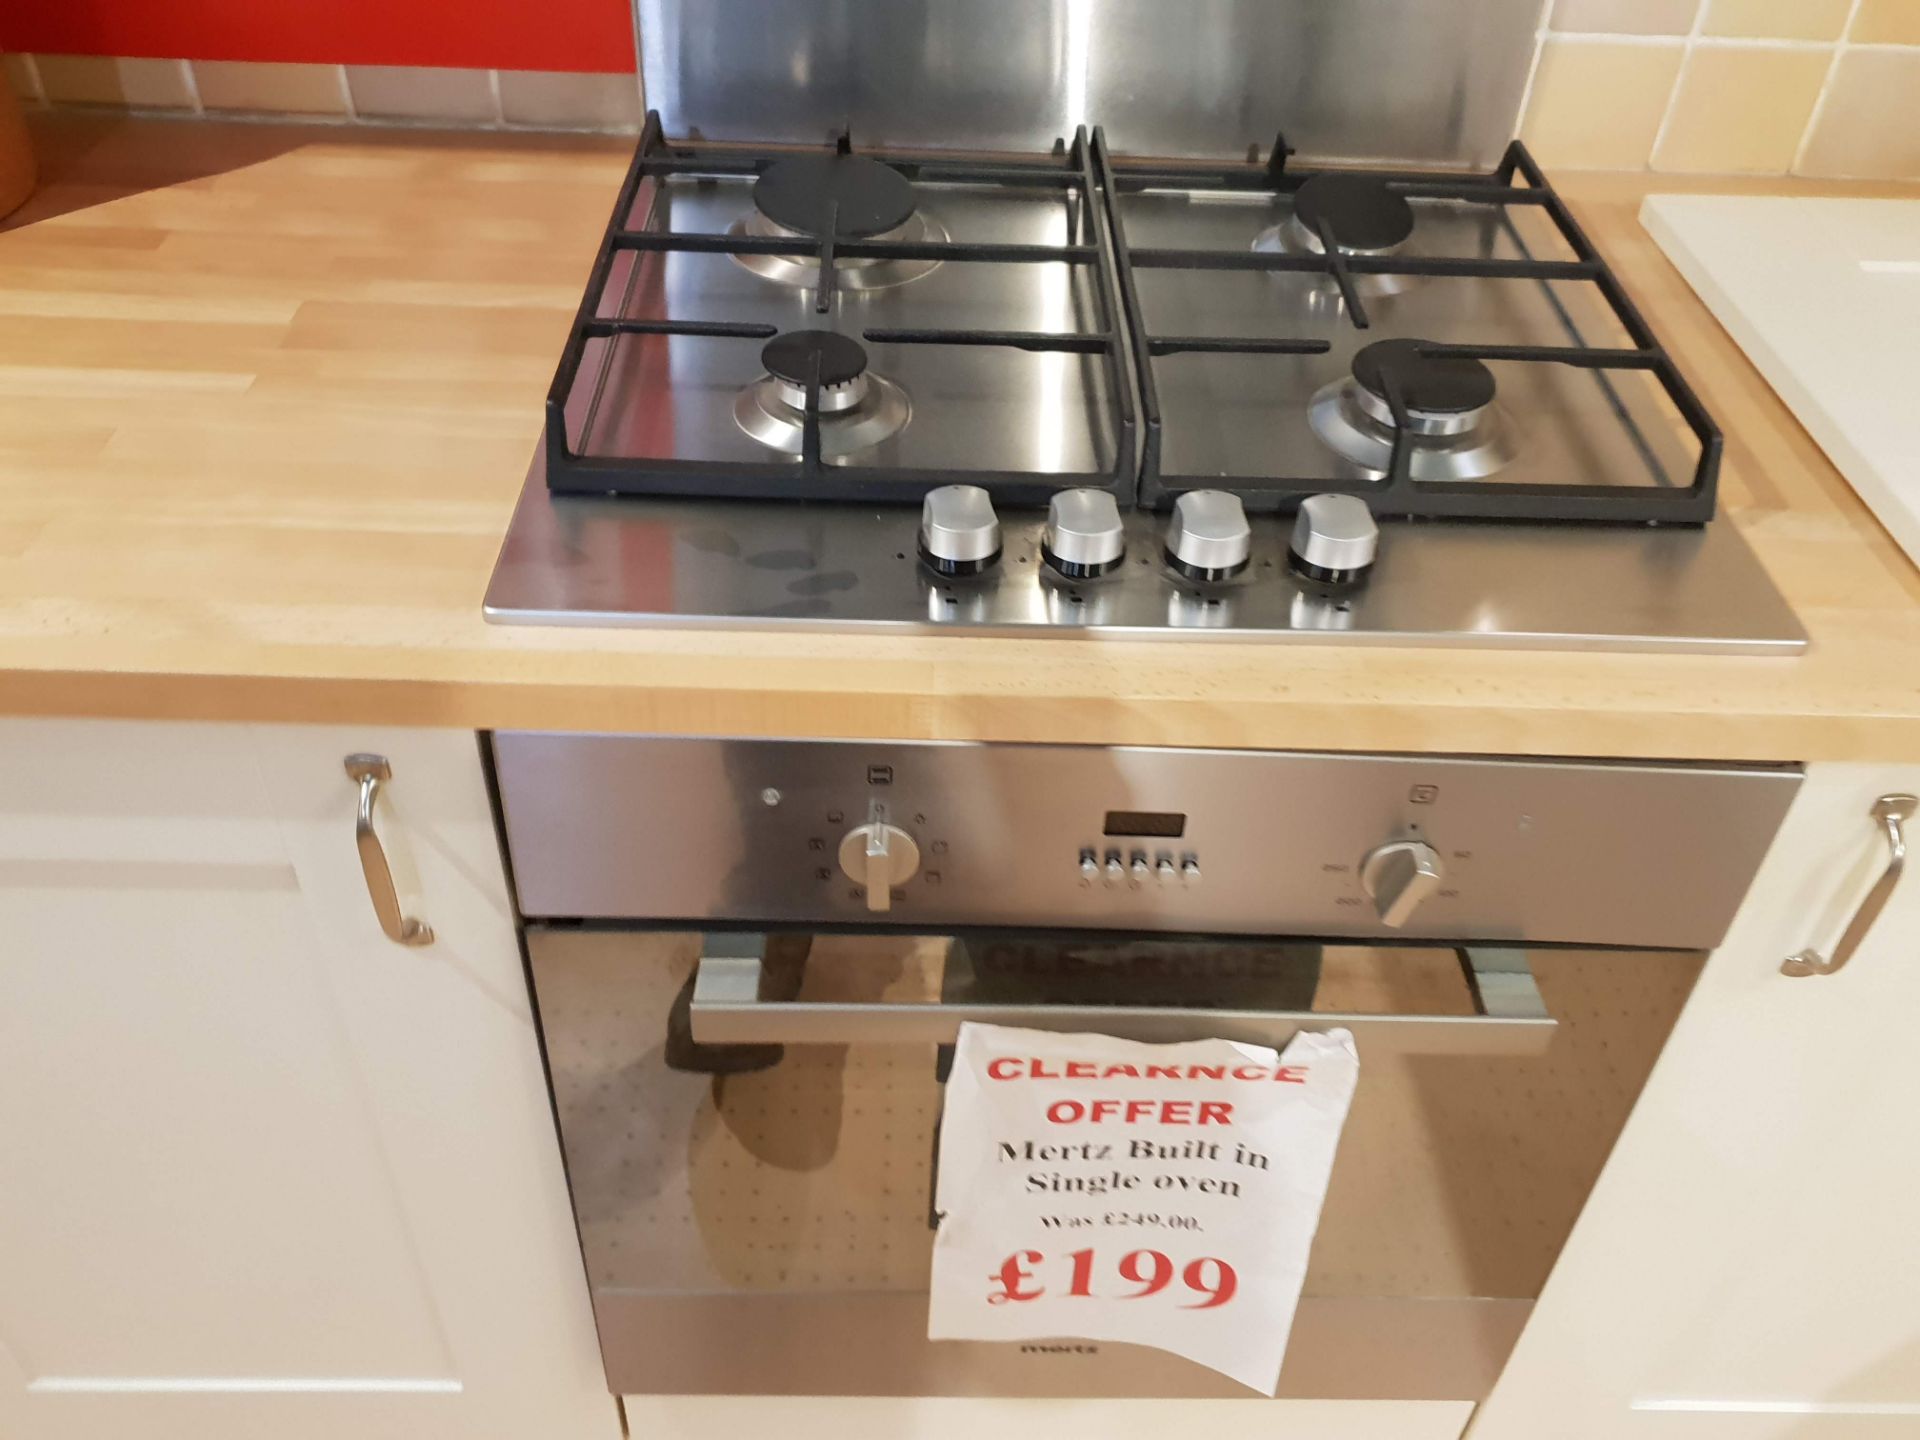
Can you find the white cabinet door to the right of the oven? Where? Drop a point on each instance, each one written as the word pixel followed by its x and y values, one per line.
pixel 1750 1262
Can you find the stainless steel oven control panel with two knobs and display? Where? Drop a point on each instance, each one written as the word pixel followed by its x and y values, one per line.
pixel 948 836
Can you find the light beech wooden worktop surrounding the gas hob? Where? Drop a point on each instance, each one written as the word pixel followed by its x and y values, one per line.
pixel 268 396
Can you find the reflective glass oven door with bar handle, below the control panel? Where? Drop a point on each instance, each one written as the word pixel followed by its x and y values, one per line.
pixel 750 1128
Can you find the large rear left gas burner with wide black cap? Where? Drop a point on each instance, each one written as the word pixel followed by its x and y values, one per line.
pixel 853 199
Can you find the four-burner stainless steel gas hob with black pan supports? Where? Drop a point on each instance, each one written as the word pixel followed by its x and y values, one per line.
pixel 1074 393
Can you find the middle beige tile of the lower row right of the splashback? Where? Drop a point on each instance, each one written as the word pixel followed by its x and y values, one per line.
pixel 1742 110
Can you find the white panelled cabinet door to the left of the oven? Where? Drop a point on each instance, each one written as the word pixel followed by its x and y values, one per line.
pixel 264 1172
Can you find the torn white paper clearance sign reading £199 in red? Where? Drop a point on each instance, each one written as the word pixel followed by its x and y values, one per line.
pixel 1161 1195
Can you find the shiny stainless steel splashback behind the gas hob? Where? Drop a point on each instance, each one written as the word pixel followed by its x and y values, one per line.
pixel 1418 82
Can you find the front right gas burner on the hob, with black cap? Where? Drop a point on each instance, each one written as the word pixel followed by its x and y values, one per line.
pixel 1458 431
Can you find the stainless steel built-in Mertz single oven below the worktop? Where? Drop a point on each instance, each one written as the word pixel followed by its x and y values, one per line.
pixel 750 957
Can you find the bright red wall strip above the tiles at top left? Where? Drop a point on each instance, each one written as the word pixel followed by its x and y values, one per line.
pixel 581 36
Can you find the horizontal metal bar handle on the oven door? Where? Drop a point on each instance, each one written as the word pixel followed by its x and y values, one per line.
pixel 731 1011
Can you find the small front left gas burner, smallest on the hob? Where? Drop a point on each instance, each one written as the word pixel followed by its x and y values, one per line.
pixel 857 408
